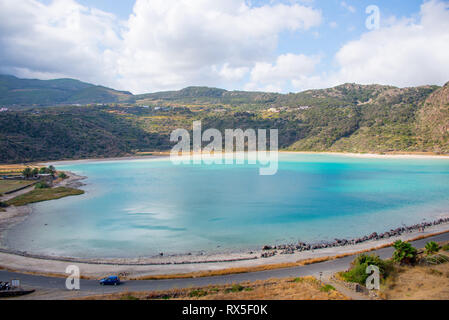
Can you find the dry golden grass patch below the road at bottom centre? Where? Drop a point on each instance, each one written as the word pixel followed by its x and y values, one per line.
pixel 307 288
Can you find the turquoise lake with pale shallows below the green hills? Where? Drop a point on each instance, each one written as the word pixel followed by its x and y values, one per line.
pixel 138 208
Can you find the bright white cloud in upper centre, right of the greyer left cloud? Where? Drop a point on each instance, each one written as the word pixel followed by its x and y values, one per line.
pixel 172 44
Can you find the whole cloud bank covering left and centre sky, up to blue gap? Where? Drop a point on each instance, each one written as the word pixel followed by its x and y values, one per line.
pixel 165 44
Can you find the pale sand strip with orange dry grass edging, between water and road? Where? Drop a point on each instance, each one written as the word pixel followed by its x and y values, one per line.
pixel 56 268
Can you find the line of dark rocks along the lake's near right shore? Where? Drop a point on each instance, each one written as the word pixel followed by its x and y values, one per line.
pixel 270 251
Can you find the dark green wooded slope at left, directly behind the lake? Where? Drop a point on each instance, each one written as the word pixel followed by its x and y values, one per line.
pixel 69 133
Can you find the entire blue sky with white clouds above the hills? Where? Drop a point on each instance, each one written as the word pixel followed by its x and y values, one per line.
pixel 259 45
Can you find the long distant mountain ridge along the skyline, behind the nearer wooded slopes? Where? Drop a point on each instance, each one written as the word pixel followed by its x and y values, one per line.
pixel 15 91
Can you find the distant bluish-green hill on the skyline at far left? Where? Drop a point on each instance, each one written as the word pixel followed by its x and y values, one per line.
pixel 32 92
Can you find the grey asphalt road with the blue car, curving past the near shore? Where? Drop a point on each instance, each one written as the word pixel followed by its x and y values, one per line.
pixel 92 286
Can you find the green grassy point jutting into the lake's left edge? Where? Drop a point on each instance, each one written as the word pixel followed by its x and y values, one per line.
pixel 40 195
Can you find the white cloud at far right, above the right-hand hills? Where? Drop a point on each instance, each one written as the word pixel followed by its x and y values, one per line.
pixel 404 53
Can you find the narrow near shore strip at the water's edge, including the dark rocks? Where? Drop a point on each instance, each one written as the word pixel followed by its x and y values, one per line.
pixel 268 251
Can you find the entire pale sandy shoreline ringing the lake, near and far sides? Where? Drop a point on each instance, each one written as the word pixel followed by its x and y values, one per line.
pixel 185 263
